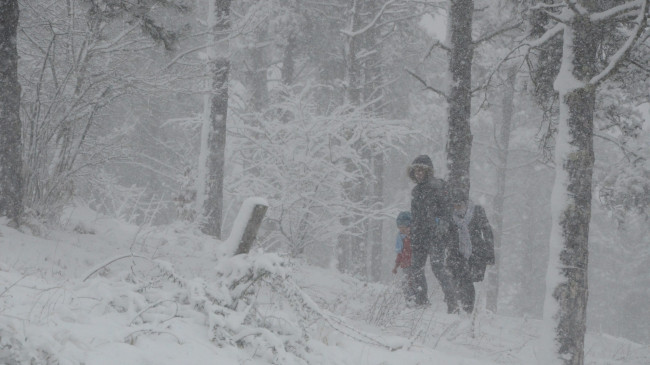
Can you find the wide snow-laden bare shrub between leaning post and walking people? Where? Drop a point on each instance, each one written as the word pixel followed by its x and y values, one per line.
pixel 306 163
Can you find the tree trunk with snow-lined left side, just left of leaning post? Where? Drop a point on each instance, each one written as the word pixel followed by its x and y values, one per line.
pixel 214 131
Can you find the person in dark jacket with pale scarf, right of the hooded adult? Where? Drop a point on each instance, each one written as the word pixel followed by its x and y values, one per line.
pixel 471 249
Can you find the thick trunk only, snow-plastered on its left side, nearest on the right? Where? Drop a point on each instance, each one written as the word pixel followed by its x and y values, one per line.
pixel 565 305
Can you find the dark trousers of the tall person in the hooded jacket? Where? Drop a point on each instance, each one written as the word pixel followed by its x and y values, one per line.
pixel 436 253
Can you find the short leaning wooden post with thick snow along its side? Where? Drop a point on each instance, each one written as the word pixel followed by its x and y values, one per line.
pixel 244 229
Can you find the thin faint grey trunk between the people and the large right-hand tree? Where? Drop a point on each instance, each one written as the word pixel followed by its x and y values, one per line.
pixel 503 144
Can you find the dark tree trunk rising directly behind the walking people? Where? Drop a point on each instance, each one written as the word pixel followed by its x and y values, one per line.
pixel 461 53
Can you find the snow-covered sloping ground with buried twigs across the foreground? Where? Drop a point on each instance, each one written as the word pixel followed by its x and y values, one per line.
pixel 104 292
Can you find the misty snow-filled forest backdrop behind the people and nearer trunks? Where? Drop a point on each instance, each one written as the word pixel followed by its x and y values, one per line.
pixel 113 103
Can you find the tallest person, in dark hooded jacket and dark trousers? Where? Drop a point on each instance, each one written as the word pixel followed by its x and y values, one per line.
pixel 430 209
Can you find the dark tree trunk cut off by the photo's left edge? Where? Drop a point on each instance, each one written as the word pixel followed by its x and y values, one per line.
pixel 11 183
